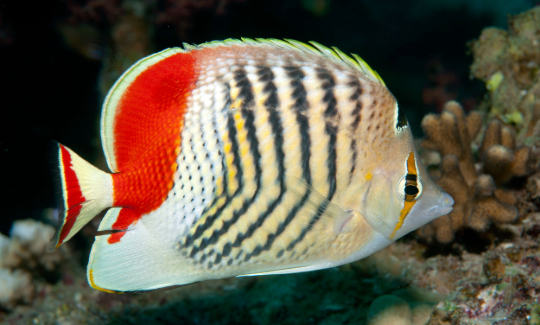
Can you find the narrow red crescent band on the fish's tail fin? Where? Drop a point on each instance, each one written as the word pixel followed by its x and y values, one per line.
pixel 74 196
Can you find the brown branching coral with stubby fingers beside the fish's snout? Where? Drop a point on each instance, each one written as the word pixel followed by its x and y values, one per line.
pixel 477 200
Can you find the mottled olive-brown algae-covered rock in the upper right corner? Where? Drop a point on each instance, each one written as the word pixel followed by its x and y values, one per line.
pixel 509 63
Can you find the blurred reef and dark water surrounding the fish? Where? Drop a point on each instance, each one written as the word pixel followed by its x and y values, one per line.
pixel 466 72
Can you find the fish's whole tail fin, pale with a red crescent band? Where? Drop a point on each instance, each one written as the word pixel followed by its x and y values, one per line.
pixel 84 191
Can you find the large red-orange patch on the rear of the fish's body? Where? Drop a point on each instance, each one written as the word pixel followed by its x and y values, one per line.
pixel 148 124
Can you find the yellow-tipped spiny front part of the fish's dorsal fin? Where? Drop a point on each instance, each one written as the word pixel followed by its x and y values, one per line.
pixel 333 53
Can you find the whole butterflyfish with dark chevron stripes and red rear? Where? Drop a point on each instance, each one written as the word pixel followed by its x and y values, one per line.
pixel 241 158
